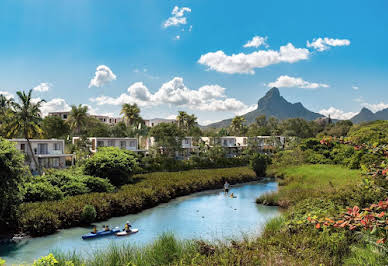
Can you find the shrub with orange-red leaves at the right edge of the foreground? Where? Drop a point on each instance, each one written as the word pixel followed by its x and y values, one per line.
pixel 373 218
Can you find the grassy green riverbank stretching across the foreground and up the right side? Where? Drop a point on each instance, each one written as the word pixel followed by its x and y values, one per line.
pixel 288 240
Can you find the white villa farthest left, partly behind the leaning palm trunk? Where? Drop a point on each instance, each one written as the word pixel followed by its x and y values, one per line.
pixel 49 152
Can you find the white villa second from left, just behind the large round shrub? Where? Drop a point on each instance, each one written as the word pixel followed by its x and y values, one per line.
pixel 130 144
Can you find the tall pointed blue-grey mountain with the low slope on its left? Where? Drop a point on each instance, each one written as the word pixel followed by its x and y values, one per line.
pixel 273 105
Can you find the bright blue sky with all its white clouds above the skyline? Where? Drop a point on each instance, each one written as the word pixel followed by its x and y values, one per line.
pixel 189 55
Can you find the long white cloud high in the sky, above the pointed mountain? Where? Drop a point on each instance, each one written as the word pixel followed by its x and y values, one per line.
pixel 246 63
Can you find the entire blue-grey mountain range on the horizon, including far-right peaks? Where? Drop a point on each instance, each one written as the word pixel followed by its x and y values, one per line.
pixel 274 105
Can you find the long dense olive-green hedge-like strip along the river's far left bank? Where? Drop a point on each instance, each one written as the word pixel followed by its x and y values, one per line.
pixel 149 190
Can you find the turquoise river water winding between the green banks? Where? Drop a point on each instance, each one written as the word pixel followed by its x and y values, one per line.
pixel 208 215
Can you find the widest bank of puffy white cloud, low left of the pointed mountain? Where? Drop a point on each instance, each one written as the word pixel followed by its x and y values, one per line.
pixel 175 92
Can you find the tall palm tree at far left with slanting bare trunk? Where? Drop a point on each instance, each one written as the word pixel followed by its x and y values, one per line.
pixel 26 118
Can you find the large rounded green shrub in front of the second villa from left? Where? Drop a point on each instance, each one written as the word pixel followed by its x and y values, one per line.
pixel 115 164
